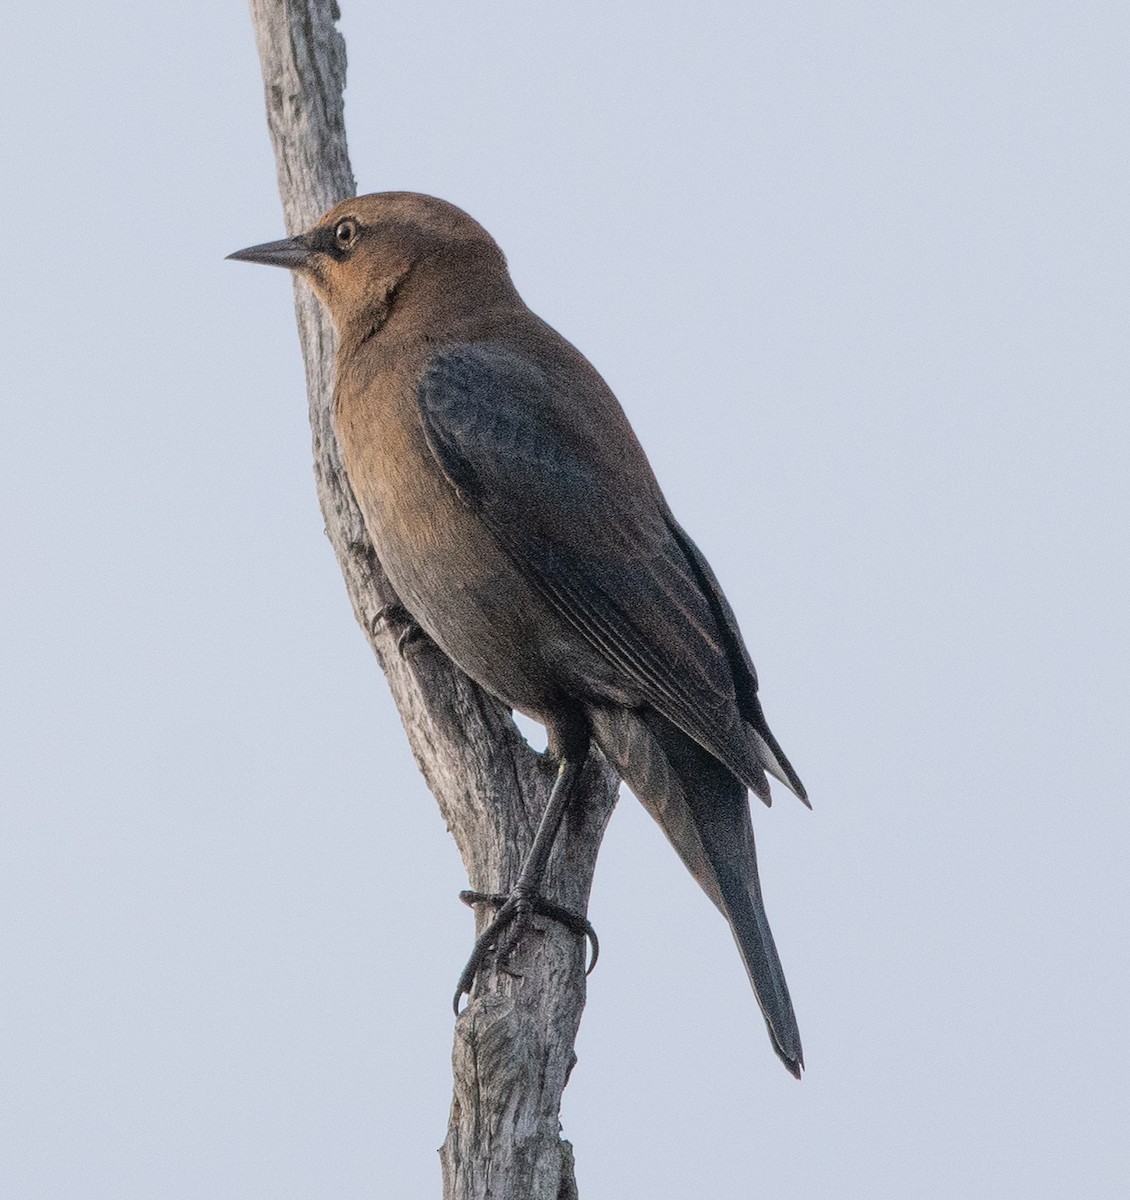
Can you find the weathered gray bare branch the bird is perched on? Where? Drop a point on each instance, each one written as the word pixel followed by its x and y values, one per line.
pixel 514 1045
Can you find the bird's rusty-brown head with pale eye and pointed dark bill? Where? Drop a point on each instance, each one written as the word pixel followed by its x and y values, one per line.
pixel 363 253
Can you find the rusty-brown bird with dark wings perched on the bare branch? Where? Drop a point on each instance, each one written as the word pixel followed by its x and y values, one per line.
pixel 525 532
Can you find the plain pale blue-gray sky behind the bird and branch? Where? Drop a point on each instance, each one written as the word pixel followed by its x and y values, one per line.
pixel 859 275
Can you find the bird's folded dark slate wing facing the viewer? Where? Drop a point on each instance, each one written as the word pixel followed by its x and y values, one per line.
pixel 567 502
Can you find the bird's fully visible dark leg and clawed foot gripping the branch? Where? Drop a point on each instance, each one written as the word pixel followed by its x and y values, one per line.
pixel 526 897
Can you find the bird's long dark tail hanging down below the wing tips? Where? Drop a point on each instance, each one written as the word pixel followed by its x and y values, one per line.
pixel 705 812
